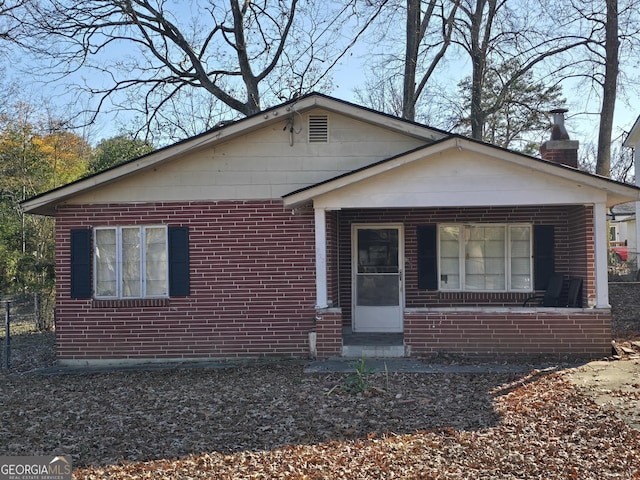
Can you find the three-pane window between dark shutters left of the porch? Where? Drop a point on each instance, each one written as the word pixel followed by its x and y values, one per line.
pixel 131 262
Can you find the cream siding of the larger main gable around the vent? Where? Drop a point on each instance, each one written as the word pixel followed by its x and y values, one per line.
pixel 260 165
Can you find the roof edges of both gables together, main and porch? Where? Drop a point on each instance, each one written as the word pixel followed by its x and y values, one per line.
pixel 435 141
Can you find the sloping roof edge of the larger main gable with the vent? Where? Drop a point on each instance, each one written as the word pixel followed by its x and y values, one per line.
pixel 45 203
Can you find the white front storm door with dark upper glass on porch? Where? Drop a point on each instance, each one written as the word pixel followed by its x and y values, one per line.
pixel 377 278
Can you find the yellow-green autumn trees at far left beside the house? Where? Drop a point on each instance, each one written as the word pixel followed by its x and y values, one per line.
pixel 32 160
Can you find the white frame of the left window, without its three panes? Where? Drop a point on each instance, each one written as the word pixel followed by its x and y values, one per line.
pixel 119 256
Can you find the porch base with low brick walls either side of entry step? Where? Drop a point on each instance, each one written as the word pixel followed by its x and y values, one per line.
pixel 498 333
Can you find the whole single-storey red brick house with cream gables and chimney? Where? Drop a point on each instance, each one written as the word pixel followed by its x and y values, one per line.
pixel 319 224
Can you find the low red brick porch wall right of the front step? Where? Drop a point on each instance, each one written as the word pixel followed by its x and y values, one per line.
pixel 554 333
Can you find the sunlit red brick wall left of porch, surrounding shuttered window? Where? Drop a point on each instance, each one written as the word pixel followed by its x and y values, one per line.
pixel 252 286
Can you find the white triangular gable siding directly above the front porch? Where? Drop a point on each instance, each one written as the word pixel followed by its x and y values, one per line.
pixel 459 178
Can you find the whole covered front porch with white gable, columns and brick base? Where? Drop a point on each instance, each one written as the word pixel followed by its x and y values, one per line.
pixel 439 249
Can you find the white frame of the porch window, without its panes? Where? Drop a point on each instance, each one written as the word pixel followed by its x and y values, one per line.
pixel 507 257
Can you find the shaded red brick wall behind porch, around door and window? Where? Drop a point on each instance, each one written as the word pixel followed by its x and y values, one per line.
pixel 572 226
